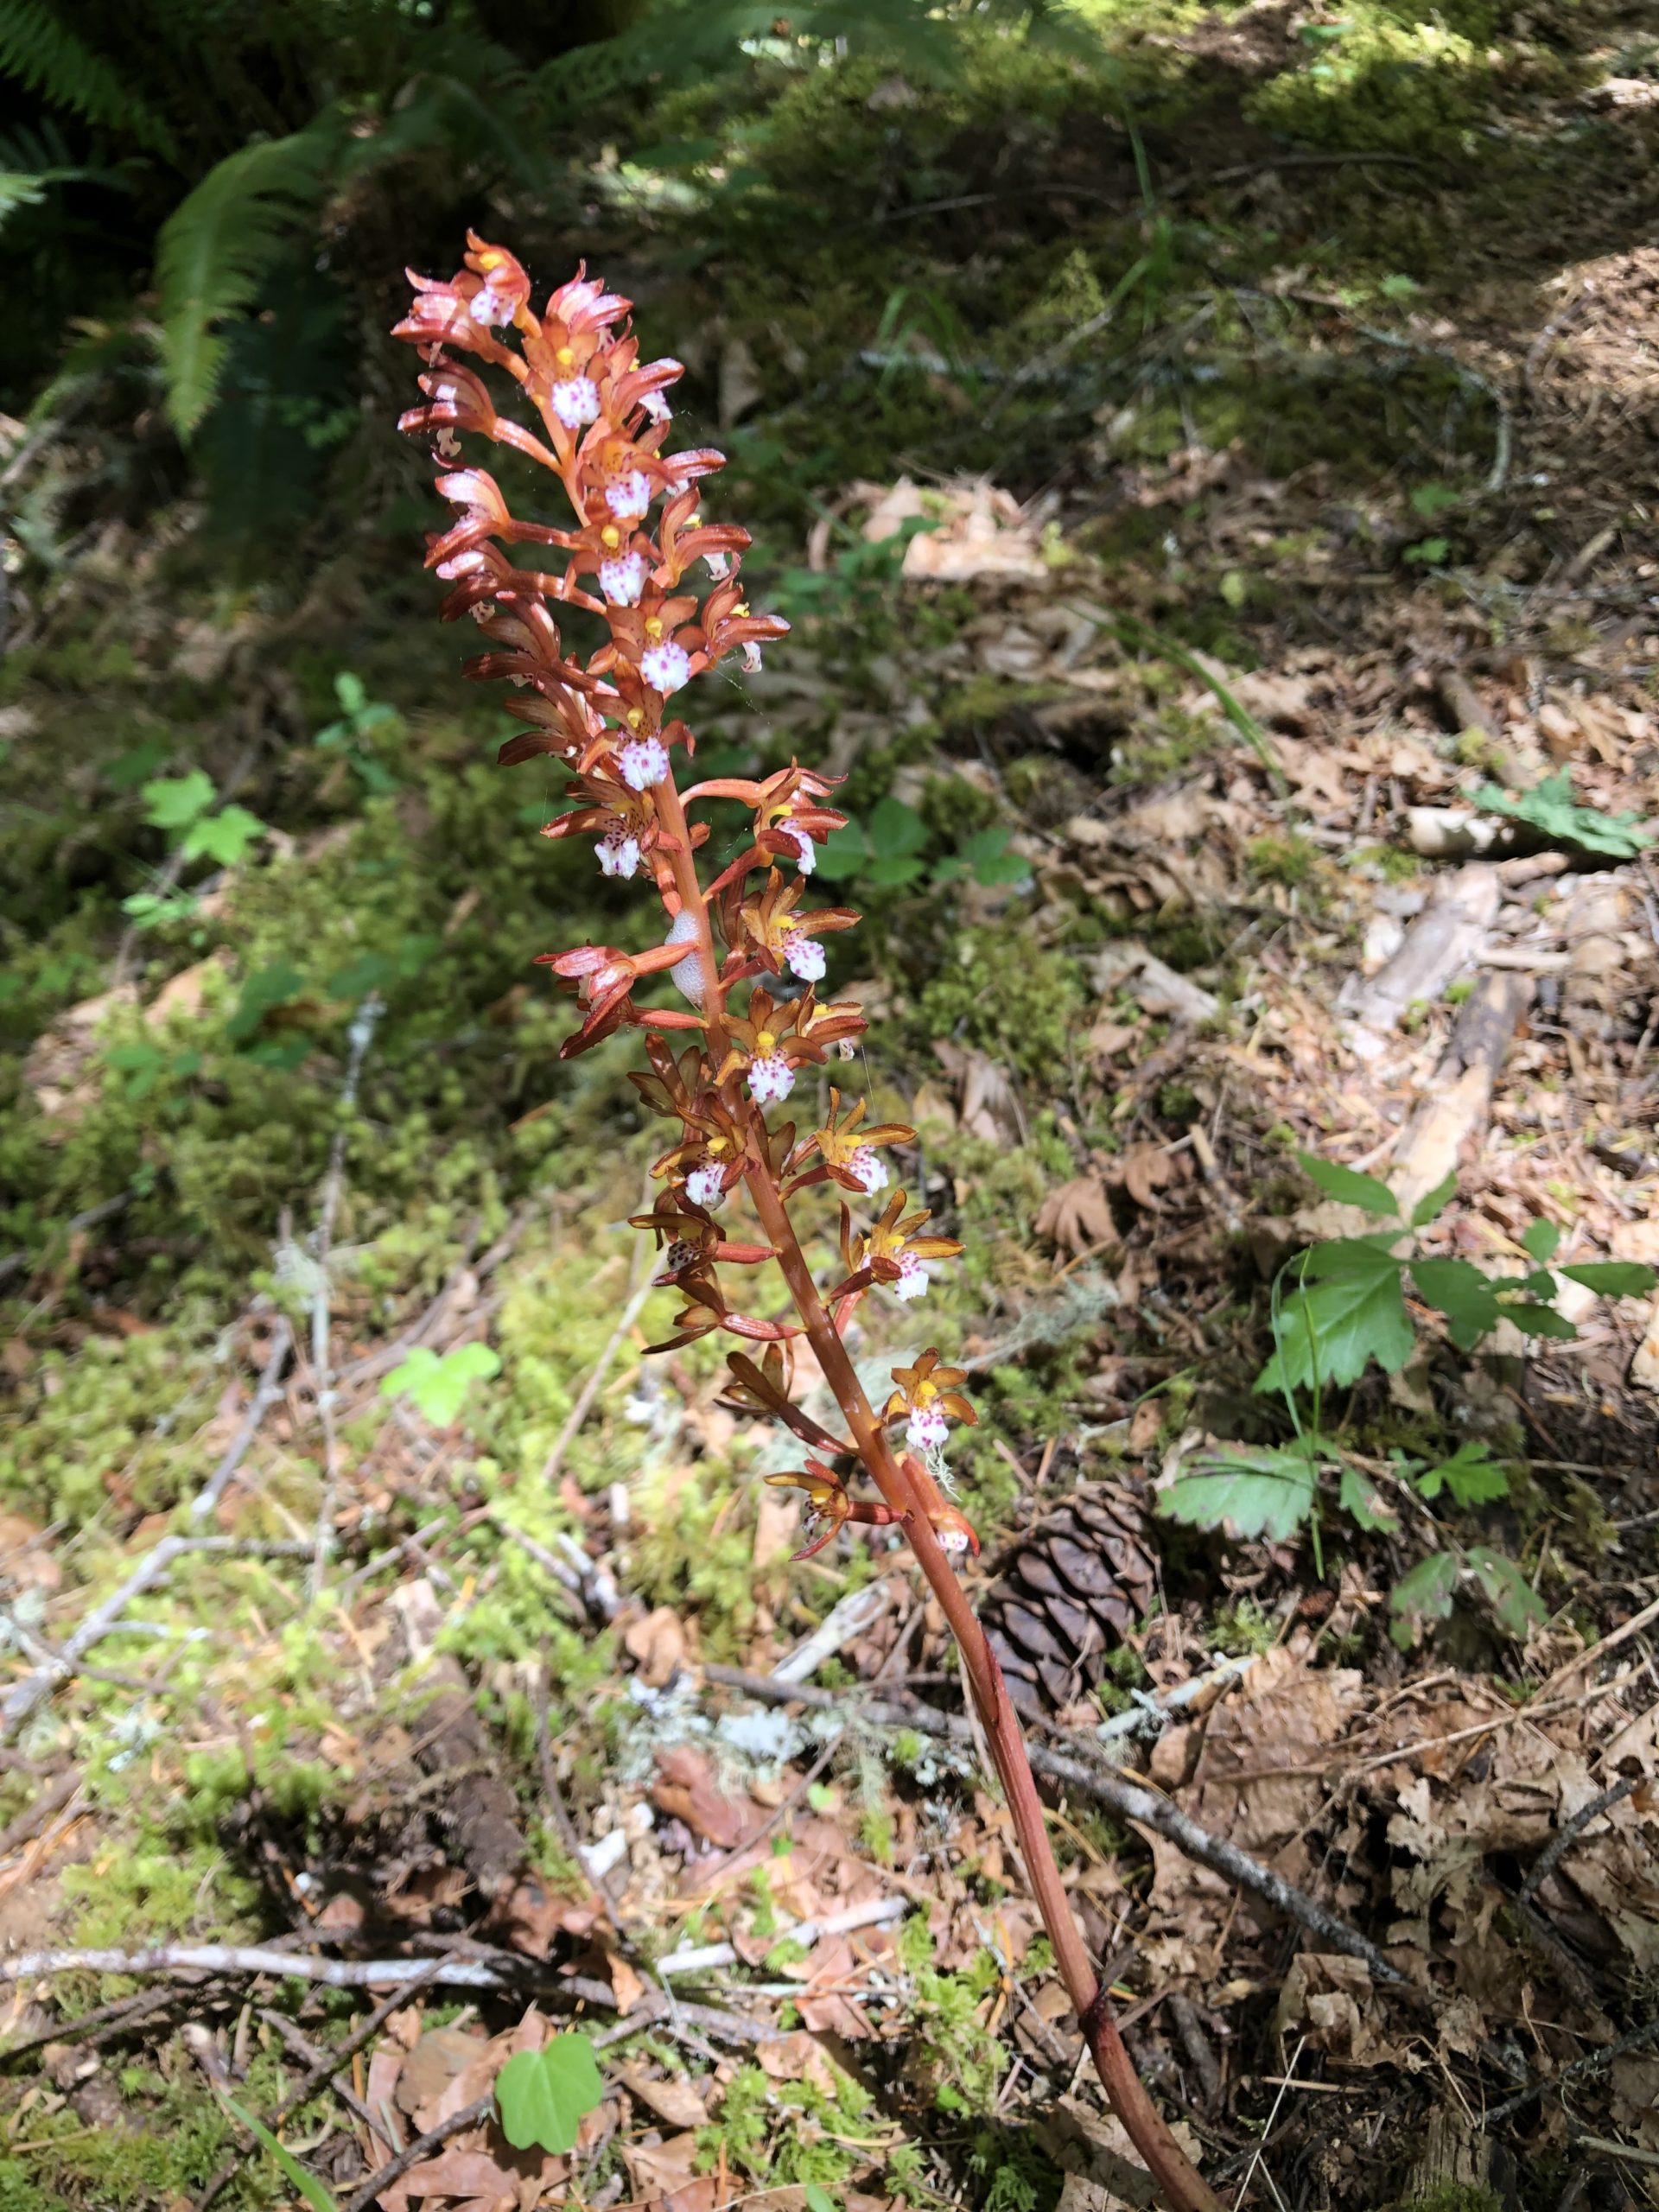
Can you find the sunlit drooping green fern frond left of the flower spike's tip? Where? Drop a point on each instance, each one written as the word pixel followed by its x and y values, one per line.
pixel 218 247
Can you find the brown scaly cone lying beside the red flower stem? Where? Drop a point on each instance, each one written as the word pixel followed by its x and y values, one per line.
pixel 1067 1592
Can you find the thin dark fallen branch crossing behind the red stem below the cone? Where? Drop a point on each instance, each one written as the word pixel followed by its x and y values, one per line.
pixel 1112 1791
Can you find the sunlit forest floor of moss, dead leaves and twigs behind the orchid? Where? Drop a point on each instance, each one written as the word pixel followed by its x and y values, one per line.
pixel 368 1598
